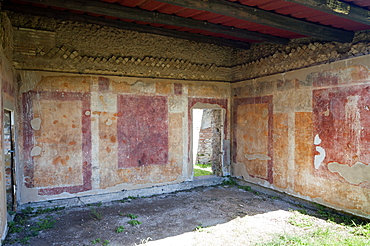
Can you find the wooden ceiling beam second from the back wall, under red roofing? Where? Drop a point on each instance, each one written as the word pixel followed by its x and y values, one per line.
pixel 119 11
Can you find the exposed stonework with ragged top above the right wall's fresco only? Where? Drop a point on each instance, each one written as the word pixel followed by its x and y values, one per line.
pixel 268 59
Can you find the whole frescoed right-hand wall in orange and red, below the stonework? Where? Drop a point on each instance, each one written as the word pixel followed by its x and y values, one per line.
pixel 306 133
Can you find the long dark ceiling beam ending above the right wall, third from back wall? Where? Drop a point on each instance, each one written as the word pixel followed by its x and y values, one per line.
pixel 266 18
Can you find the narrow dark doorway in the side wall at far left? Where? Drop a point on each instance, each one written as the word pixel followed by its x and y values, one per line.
pixel 9 157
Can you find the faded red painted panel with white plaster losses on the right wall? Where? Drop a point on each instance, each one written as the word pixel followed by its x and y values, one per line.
pixel 342 133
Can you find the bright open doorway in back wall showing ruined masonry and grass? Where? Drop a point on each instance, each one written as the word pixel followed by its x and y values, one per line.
pixel 207 141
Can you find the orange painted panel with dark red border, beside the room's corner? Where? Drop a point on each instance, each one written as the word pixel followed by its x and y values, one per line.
pixel 253 128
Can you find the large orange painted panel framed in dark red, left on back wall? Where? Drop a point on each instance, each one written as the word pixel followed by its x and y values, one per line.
pixel 57 141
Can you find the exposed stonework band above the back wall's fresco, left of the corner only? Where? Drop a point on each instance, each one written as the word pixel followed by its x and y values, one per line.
pixel 56 45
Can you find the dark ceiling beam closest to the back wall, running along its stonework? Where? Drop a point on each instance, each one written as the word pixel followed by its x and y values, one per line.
pixel 123 25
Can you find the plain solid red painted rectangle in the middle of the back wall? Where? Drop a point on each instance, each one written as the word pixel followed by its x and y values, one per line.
pixel 142 131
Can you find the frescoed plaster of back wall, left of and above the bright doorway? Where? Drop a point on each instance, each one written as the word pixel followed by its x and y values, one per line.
pixel 89 135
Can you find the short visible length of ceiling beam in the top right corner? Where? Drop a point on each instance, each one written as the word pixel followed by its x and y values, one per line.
pixel 338 8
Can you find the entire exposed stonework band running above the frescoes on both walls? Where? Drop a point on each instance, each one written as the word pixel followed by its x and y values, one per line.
pixel 65 46
